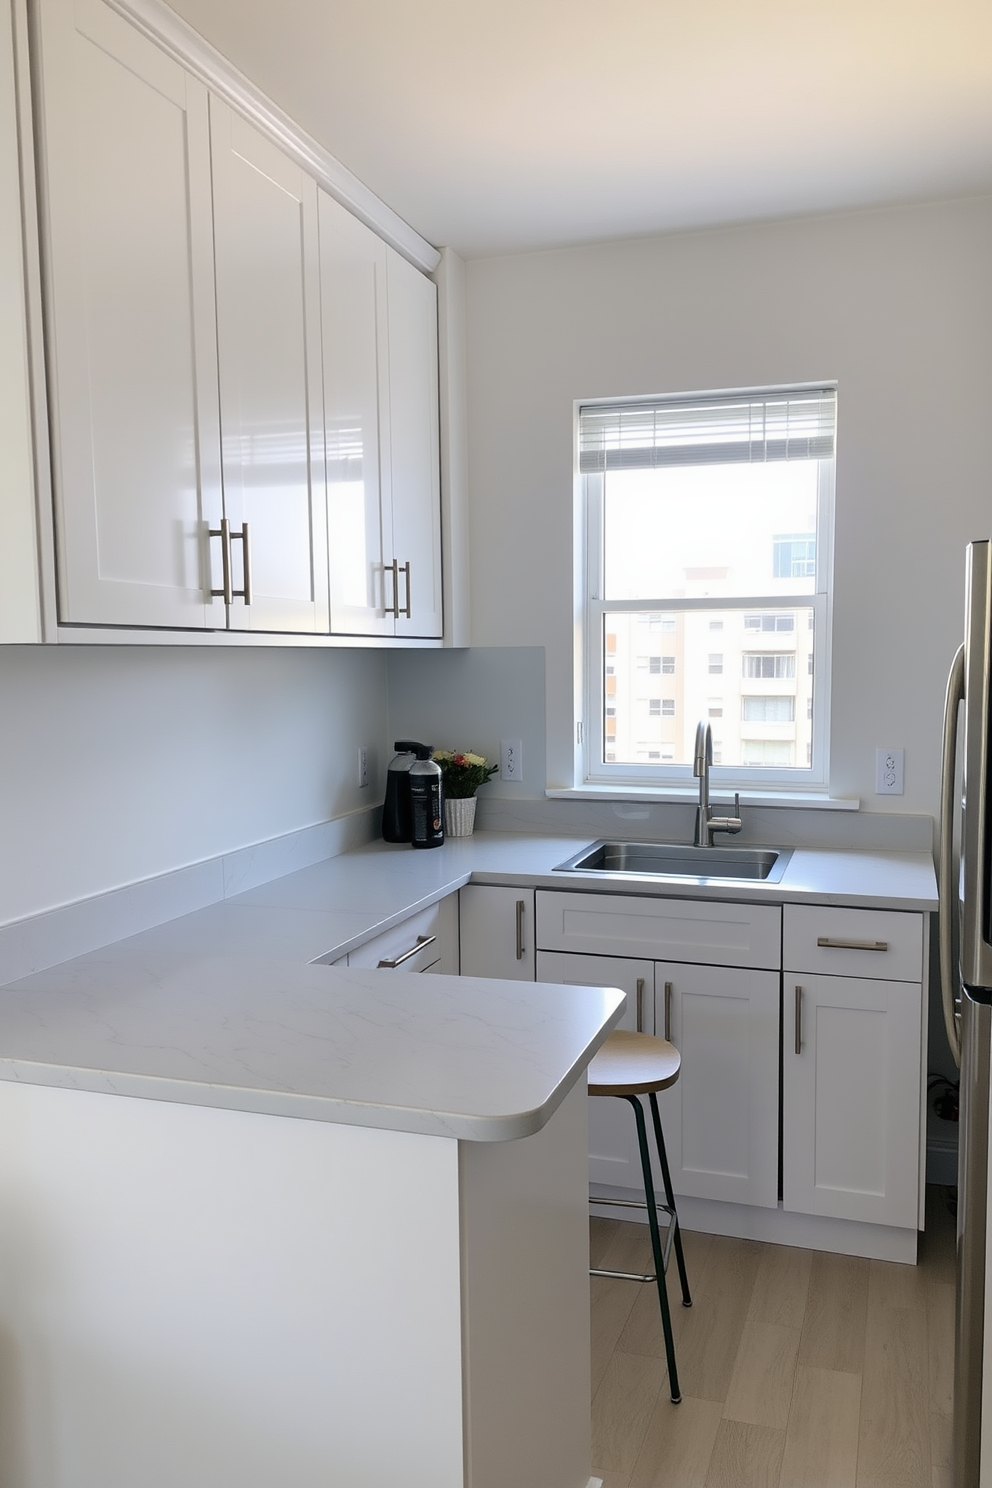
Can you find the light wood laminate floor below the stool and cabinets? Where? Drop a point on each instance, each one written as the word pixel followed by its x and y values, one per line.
pixel 799 1370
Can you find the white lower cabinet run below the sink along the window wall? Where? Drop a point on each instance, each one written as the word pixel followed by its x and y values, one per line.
pixel 823 1066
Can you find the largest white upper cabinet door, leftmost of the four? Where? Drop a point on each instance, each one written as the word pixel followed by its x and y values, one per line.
pixel 130 324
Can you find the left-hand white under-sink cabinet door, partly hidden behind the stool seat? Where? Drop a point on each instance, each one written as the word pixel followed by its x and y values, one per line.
pixel 613 1152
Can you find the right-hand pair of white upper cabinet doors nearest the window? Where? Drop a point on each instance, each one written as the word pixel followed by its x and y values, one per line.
pixel 380 368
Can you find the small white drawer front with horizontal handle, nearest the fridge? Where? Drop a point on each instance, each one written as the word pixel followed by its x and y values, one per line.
pixel 881 944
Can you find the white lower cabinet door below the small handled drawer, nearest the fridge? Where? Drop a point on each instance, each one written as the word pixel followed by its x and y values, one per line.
pixel 851 1100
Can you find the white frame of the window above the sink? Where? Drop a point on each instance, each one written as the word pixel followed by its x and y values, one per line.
pixel 591 611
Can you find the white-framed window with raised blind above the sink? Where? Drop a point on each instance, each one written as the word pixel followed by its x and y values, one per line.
pixel 710 519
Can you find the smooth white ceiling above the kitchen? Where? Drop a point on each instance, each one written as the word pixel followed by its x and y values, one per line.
pixel 497 129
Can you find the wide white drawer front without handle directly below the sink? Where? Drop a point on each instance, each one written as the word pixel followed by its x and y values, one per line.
pixel 704 932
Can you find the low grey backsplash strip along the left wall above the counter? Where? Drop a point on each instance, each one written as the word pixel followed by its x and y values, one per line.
pixel 42 941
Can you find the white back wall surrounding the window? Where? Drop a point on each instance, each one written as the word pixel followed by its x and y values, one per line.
pixel 896 306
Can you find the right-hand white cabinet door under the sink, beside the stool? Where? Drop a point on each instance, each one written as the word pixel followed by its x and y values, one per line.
pixel 722 1117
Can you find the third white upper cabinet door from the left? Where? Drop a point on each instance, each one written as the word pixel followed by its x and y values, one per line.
pixel 355 358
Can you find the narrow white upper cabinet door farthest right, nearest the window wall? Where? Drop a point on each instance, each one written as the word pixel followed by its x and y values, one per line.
pixel 414 449
